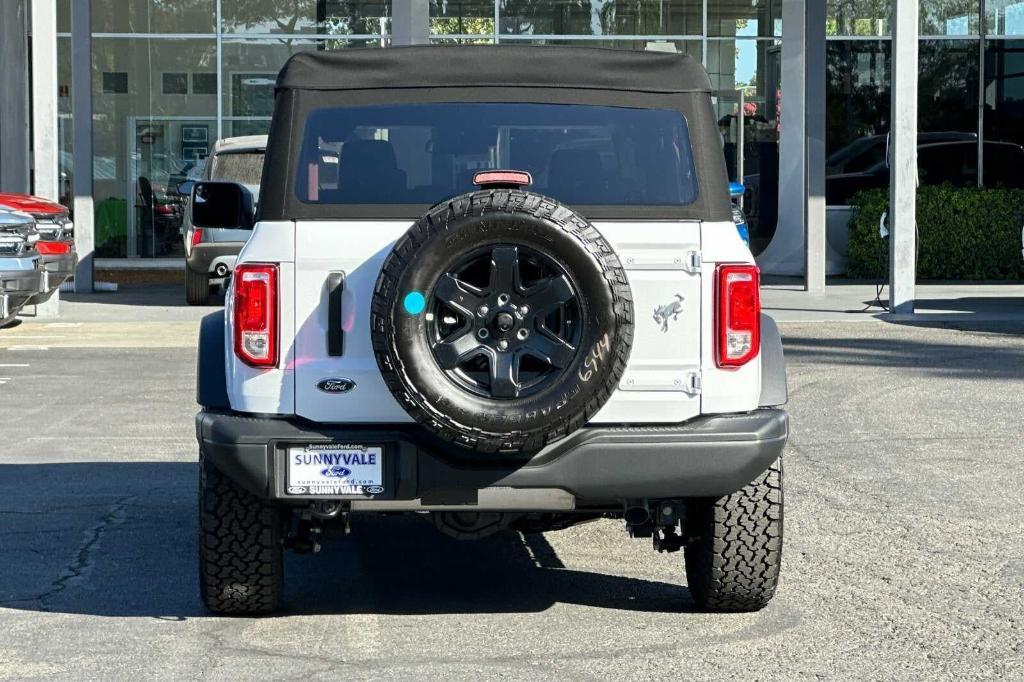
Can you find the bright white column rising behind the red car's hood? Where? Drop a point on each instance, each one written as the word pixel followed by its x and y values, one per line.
pixel 46 145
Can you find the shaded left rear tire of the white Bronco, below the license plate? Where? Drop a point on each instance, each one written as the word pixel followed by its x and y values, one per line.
pixel 241 557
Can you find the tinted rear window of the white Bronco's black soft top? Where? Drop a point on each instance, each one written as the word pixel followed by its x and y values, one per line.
pixel 424 154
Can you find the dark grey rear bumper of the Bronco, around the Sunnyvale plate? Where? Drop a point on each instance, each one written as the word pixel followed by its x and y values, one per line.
pixel 596 468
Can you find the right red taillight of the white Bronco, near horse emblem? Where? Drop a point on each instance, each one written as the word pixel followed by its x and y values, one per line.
pixel 738 323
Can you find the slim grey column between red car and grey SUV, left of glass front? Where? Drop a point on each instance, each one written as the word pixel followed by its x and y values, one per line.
pixel 81 77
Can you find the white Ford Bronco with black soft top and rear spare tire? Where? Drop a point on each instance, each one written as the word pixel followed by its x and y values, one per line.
pixel 499 287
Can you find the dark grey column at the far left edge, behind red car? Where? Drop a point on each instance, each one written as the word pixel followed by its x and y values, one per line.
pixel 14 97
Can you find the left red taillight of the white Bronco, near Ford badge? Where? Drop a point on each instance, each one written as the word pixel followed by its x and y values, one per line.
pixel 255 308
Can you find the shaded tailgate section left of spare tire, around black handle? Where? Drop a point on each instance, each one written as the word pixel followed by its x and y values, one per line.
pixel 358 249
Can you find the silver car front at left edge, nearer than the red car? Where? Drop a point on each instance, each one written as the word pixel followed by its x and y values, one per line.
pixel 21 275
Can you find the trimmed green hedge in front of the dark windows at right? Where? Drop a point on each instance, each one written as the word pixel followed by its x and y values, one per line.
pixel 964 234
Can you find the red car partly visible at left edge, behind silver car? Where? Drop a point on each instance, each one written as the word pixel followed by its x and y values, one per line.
pixel 57 240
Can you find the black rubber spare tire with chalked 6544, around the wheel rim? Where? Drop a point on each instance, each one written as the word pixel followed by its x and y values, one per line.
pixel 459 226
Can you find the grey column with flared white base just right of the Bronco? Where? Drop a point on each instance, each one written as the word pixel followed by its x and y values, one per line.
pixel 800 234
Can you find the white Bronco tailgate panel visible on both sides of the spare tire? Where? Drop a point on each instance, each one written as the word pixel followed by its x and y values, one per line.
pixel 658 386
